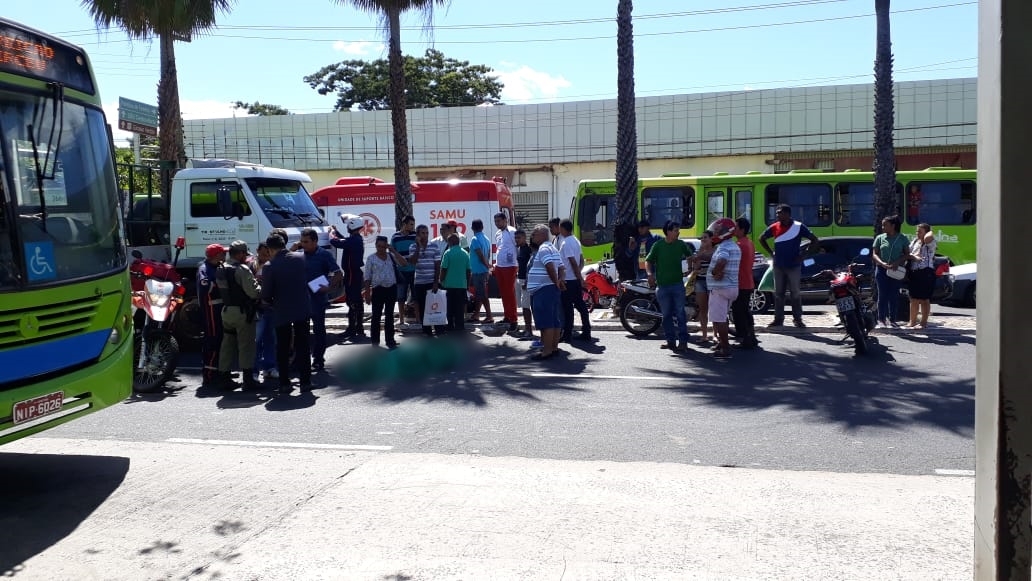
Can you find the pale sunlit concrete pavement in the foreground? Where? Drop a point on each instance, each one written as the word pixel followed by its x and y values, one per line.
pixel 255 511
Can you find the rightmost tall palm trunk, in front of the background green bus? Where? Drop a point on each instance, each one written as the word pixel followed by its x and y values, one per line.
pixel 886 200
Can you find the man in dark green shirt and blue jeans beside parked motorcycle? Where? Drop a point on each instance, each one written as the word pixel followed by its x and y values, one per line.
pixel 666 275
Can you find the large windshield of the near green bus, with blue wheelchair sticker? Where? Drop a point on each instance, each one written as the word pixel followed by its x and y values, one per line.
pixel 59 214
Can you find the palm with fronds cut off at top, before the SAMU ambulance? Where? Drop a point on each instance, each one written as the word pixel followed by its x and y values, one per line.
pixel 392 11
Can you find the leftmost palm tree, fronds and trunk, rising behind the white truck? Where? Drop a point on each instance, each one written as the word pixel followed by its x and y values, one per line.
pixel 169 20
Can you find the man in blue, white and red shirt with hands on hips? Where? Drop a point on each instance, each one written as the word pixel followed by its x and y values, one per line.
pixel 788 235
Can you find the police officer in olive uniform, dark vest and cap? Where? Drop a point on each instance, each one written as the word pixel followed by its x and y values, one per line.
pixel 240 317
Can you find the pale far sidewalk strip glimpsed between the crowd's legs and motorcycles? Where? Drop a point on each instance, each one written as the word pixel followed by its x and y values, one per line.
pixel 825 322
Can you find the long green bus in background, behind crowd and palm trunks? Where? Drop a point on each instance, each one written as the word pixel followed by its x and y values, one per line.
pixel 831 204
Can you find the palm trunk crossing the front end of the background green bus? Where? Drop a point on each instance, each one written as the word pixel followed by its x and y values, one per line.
pixel 627 137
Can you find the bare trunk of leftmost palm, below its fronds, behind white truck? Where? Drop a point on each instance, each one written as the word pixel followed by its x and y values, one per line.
pixel 170 120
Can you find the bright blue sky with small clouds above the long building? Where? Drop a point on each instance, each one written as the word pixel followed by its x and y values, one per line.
pixel 542 50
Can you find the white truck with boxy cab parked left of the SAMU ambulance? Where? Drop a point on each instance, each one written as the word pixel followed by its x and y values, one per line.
pixel 218 202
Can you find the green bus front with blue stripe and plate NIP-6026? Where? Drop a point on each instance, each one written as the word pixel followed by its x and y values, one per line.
pixel 66 326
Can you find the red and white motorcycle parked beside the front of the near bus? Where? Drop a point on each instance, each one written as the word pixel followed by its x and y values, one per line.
pixel 157 294
